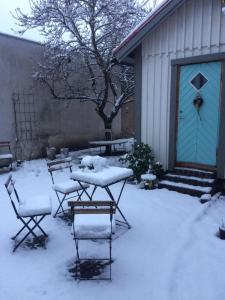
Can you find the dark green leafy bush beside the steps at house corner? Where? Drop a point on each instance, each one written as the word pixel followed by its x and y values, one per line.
pixel 141 161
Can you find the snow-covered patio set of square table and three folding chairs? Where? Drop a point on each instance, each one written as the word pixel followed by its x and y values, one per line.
pixel 93 219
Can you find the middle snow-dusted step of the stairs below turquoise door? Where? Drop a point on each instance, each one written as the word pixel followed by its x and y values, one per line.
pixel 191 180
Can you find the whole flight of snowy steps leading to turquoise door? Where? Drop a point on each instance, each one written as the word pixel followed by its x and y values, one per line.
pixel 190 181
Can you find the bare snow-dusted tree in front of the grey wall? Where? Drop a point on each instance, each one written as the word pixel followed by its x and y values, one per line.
pixel 80 36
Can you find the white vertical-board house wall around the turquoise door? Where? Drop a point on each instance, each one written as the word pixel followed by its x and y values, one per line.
pixel 195 28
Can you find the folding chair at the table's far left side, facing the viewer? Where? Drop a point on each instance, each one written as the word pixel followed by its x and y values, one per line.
pixel 67 189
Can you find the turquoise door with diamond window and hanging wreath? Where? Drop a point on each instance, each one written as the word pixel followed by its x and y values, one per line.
pixel 198 113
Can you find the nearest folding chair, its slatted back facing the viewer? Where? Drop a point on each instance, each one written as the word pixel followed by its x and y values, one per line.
pixel 93 220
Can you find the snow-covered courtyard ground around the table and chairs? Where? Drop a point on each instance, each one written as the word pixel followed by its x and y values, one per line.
pixel 171 252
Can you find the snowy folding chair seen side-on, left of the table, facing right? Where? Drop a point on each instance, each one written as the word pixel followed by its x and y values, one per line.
pixel 30 212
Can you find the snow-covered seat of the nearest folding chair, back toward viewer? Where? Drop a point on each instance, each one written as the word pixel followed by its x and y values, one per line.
pixel 93 226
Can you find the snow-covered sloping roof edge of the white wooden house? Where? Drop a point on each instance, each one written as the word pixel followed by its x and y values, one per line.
pixel 157 9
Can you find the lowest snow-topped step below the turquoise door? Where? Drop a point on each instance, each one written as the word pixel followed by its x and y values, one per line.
pixel 184 188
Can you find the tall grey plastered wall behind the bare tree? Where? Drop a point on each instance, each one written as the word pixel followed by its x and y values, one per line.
pixel 58 123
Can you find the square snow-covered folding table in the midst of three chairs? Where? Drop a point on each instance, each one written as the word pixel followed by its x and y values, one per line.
pixel 104 179
